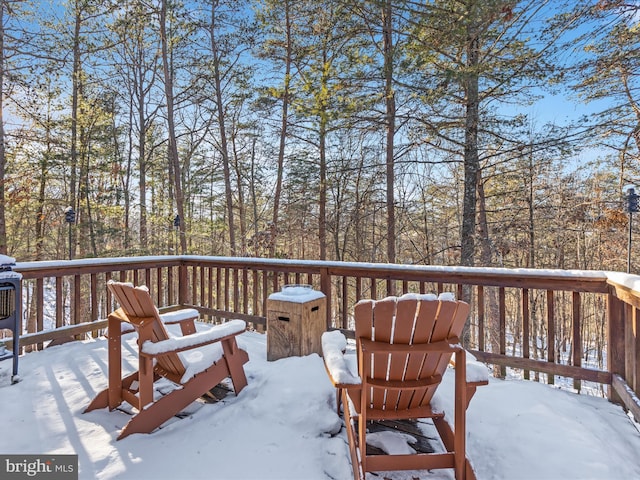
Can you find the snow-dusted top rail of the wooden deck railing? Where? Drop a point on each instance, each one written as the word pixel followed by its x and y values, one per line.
pixel 553 279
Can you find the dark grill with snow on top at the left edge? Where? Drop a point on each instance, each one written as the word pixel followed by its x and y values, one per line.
pixel 10 314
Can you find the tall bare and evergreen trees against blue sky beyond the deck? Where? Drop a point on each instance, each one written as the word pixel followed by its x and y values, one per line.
pixel 451 132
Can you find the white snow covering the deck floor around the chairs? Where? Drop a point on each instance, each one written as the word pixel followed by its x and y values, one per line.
pixel 283 425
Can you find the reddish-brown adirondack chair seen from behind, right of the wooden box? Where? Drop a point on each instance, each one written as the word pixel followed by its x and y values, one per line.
pixel 403 348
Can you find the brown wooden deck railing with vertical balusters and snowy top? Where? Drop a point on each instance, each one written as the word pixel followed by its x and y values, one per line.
pixel 580 325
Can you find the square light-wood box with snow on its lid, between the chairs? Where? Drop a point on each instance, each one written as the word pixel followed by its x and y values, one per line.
pixel 296 320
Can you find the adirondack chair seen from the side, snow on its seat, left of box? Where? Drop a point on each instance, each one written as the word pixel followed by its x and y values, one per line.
pixel 163 356
